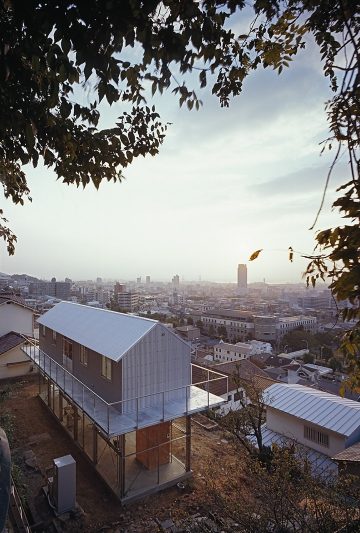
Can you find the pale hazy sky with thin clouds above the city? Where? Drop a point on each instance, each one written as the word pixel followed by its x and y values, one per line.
pixel 226 182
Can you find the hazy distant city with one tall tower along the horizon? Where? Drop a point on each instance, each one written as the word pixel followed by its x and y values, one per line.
pixel 236 312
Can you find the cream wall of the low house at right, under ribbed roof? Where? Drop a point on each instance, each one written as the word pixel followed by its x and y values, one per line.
pixel 293 427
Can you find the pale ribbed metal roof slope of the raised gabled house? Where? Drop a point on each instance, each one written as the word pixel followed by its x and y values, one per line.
pixel 106 332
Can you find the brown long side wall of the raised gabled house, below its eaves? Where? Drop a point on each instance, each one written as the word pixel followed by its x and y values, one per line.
pixel 90 375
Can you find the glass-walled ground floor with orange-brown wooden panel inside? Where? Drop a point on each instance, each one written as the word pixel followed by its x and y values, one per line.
pixel 132 464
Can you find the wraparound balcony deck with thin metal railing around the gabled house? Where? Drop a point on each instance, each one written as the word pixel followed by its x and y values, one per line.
pixel 127 415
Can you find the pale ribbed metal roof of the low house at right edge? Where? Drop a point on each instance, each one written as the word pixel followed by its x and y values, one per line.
pixel 321 408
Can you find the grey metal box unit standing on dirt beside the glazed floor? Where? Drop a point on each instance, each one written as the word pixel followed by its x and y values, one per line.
pixel 63 490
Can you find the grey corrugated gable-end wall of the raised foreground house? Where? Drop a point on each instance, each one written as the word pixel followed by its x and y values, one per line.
pixel 159 362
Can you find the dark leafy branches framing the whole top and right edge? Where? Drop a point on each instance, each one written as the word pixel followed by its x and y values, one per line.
pixel 50 55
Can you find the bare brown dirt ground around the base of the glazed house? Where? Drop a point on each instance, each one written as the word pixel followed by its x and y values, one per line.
pixel 36 430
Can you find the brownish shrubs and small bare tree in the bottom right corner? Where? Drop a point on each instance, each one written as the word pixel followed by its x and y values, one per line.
pixel 274 489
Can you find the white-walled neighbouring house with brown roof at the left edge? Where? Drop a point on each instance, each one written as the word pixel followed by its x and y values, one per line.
pixel 16 321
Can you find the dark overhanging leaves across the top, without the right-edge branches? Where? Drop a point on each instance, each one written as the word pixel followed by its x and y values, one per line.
pixel 51 53
